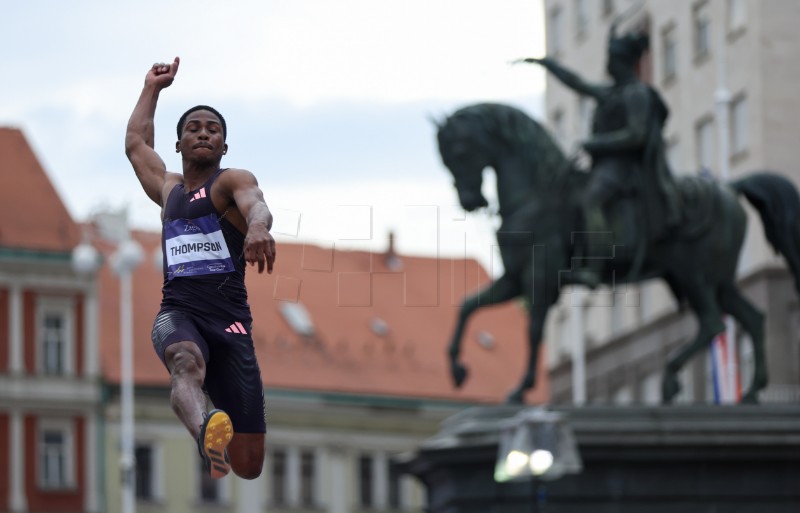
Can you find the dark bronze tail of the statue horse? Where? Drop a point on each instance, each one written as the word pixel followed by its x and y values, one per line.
pixel 778 203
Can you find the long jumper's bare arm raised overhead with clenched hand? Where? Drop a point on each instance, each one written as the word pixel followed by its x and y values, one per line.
pixel 149 167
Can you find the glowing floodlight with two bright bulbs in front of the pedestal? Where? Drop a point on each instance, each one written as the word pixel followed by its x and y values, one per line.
pixel 536 444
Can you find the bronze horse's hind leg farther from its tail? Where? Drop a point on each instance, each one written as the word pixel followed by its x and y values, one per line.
pixel 702 300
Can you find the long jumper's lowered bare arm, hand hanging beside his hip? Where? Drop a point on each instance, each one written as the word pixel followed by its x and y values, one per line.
pixel 242 188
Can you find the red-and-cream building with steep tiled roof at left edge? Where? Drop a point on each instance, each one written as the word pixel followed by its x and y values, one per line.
pixel 50 392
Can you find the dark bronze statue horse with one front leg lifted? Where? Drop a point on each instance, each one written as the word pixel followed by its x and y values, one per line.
pixel 538 191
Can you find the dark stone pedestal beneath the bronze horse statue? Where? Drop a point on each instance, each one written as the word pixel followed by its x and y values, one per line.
pixel 687 459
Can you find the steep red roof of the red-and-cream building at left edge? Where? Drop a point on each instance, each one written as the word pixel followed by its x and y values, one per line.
pixel 33 213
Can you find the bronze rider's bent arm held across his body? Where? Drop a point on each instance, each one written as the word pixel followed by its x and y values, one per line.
pixel 638 109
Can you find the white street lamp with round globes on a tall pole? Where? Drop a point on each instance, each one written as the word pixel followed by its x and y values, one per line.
pixel 86 260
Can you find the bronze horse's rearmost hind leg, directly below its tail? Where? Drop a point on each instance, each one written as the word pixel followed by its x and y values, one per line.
pixel 752 321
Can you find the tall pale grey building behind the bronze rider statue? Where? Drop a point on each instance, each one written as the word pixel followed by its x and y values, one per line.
pixel 725 68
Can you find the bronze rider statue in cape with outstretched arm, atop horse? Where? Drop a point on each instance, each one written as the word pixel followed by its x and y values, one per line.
pixel 626 146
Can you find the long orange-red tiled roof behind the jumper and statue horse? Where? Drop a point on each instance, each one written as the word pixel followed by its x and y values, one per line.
pixel 344 291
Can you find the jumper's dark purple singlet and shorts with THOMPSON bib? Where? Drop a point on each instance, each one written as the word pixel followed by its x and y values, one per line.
pixel 205 301
